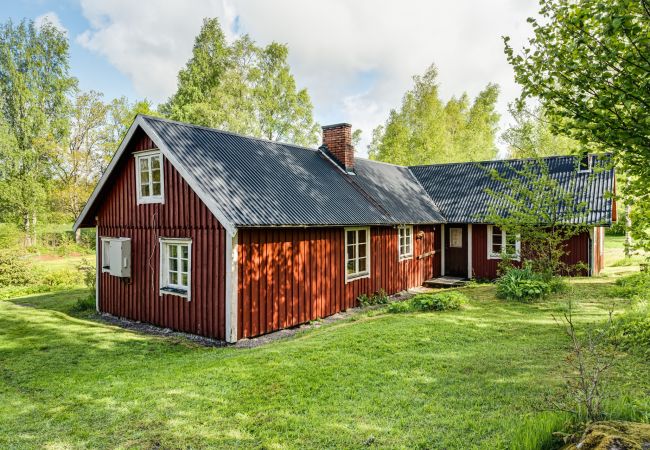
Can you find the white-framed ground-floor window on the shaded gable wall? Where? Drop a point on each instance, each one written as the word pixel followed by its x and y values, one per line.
pixel 176 266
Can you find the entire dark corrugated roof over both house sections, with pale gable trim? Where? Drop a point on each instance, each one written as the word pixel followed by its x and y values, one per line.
pixel 246 181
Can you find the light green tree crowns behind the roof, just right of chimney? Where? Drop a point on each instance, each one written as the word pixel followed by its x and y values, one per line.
pixel 426 130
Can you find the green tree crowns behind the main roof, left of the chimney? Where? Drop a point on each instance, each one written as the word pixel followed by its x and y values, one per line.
pixel 242 87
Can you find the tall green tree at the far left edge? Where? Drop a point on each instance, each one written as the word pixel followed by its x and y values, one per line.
pixel 34 85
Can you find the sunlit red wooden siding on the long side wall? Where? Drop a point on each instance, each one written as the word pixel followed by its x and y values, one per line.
pixel 289 276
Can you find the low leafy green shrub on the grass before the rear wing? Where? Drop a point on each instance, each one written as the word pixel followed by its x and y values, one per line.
pixel 524 285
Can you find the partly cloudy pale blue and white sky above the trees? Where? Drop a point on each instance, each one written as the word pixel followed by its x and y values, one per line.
pixel 355 57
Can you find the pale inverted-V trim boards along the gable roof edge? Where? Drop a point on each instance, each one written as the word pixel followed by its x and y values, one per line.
pixel 142 123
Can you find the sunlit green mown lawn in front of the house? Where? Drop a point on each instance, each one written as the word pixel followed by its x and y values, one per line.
pixel 472 378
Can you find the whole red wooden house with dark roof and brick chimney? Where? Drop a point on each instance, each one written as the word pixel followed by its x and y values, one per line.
pixel 230 237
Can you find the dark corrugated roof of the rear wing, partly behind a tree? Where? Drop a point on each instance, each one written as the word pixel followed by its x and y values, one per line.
pixel 459 189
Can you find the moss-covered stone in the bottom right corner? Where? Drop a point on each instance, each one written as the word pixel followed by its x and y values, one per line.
pixel 614 435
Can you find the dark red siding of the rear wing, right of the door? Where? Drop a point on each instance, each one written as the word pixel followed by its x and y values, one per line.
pixel 577 251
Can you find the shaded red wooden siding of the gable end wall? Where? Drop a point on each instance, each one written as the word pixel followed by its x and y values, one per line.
pixel 182 215
